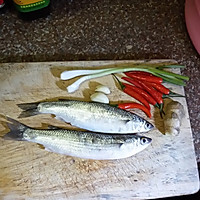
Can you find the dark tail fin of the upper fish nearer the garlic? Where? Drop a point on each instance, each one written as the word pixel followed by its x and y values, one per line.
pixel 29 109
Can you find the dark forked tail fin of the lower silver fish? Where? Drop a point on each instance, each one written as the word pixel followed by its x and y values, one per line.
pixel 16 130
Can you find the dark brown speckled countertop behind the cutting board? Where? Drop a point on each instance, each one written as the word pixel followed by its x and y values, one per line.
pixel 100 30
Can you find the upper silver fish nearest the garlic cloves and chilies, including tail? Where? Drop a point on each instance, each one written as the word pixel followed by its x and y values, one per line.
pixel 92 116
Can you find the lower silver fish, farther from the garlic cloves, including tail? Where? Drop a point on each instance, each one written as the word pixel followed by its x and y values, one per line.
pixel 80 144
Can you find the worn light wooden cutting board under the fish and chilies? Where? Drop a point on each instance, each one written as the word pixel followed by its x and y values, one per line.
pixel 166 168
